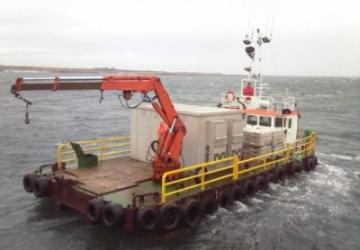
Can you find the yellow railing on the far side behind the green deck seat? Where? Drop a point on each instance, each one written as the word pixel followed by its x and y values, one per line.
pixel 103 148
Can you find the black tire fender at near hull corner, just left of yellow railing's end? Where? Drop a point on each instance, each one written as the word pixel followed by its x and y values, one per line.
pixel 147 218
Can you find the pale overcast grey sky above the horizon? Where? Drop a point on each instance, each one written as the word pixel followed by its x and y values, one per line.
pixel 310 37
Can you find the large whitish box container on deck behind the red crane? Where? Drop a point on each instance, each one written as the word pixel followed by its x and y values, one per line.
pixel 207 135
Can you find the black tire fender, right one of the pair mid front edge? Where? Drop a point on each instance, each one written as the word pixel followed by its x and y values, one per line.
pixel 113 214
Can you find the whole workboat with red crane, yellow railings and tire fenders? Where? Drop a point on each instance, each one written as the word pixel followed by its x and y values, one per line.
pixel 179 163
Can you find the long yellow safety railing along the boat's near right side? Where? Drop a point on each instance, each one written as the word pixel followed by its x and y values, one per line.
pixel 198 177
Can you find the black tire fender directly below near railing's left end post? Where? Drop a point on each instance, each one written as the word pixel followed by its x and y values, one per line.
pixel 170 216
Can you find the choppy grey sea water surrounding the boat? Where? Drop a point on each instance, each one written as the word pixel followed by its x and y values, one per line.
pixel 316 210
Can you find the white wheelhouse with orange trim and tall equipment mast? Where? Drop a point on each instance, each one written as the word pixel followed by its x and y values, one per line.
pixel 262 113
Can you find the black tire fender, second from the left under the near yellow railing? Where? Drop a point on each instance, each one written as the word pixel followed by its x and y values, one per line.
pixel 192 213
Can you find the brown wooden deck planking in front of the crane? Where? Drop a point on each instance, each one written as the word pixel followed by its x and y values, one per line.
pixel 111 175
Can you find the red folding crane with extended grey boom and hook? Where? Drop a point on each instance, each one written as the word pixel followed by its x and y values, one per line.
pixel 169 143
